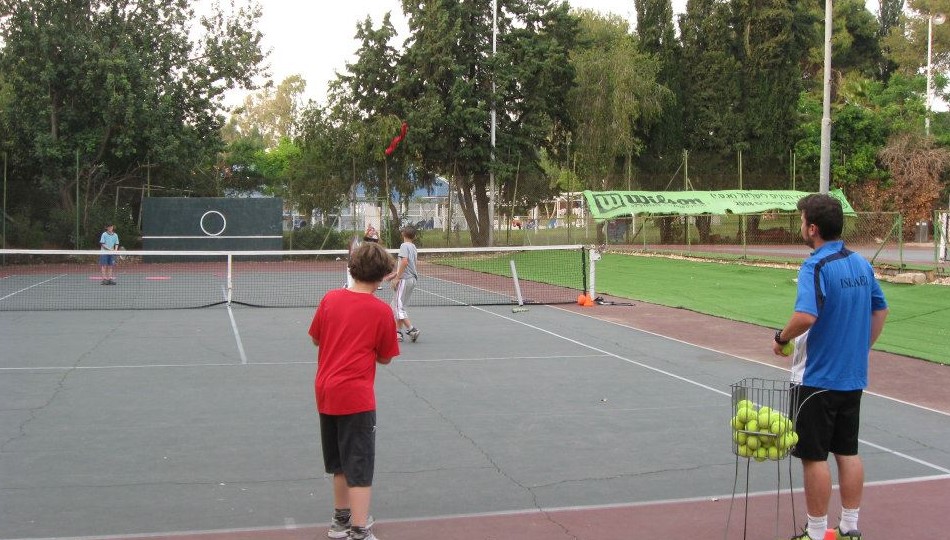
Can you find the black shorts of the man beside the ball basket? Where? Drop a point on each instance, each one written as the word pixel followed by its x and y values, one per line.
pixel 828 421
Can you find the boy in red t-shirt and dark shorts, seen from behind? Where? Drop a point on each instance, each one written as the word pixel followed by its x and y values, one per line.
pixel 353 331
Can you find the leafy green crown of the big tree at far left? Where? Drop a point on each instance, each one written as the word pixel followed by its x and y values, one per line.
pixel 117 86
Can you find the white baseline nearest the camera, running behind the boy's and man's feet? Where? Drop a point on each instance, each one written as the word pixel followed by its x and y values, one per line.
pixel 290 525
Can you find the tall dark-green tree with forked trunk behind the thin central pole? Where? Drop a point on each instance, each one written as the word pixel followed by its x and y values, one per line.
pixel 446 78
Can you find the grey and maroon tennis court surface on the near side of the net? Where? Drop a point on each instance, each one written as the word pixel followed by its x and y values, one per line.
pixel 560 422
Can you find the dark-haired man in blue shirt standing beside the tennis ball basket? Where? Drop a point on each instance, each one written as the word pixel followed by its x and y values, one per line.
pixel 839 313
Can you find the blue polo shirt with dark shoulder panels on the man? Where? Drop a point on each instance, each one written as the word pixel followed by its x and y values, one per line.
pixel 838 287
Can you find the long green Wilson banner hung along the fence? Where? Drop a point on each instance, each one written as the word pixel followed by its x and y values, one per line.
pixel 614 204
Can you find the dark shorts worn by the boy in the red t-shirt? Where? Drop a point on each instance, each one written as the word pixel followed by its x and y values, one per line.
pixel 349 446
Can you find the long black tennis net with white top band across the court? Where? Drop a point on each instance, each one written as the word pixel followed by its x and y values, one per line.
pixel 37 280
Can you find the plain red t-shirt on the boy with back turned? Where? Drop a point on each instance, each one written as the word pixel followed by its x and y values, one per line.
pixel 353 329
